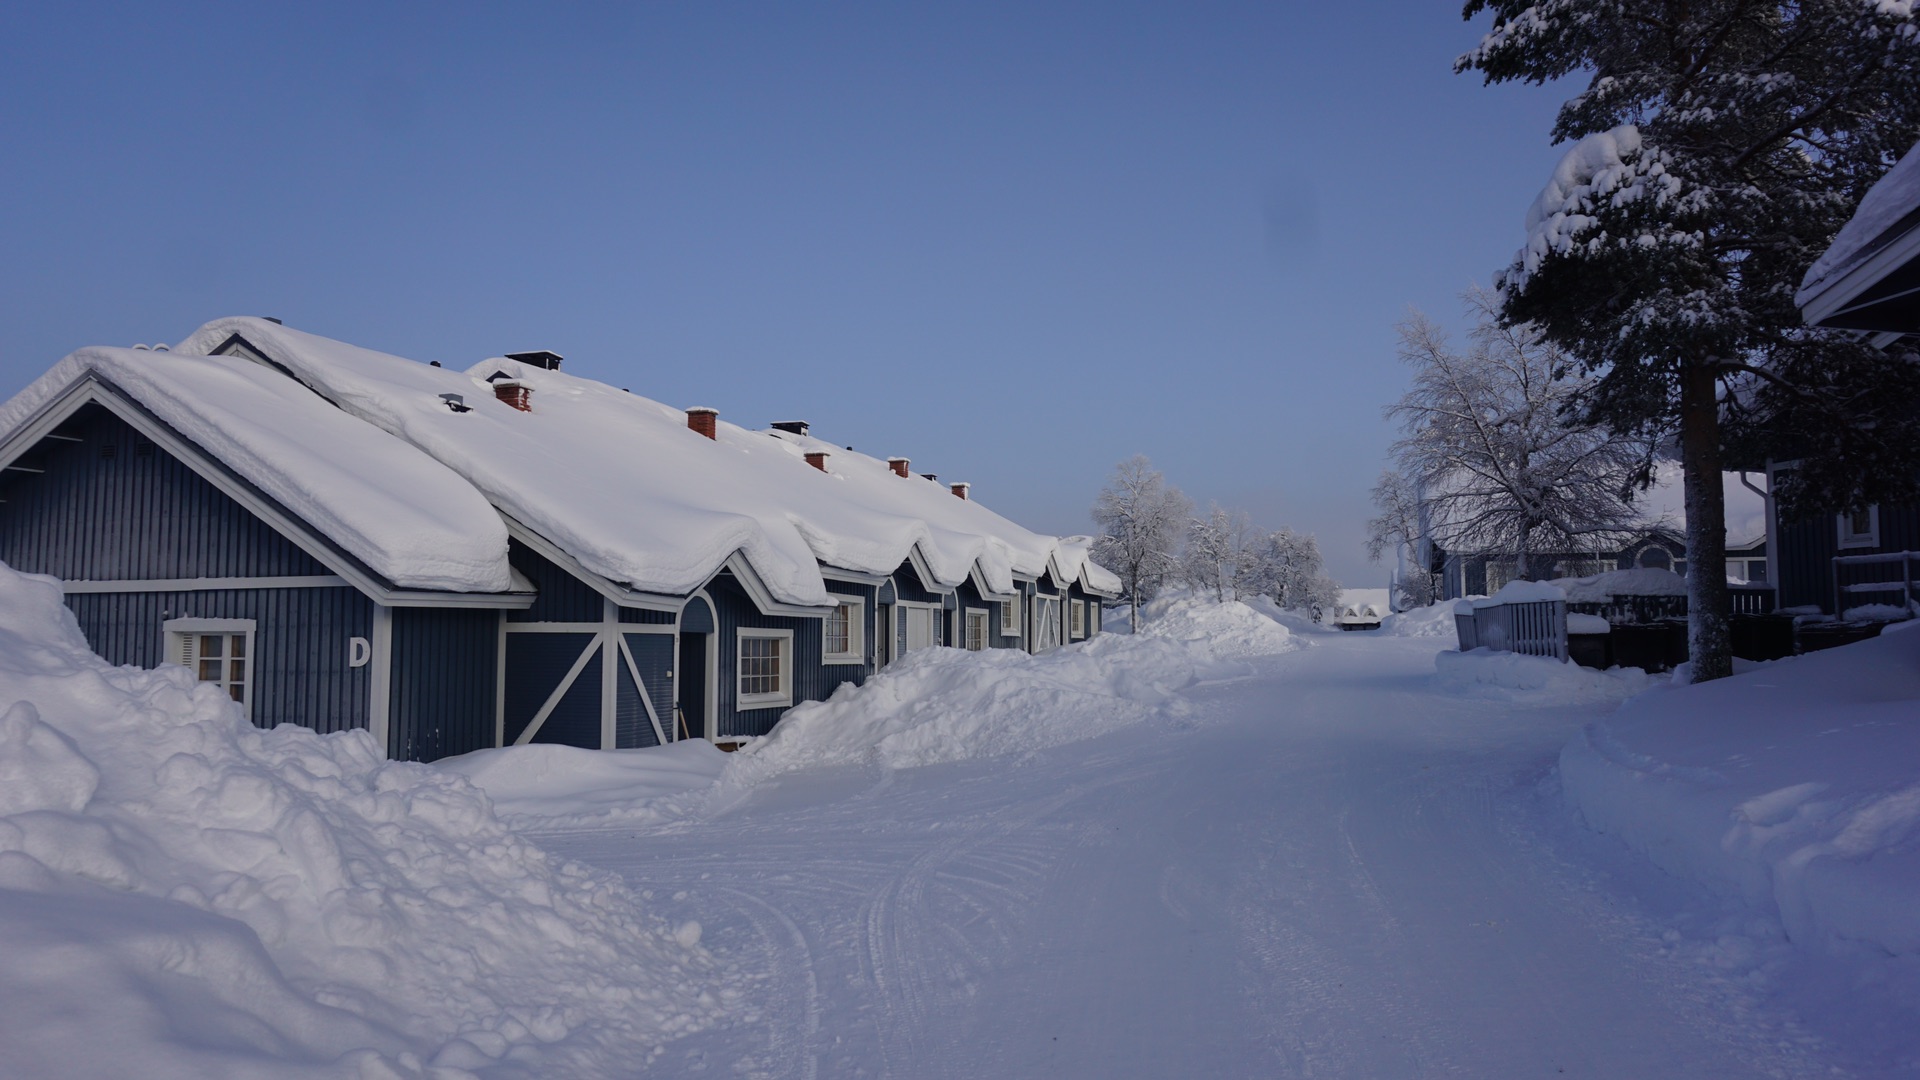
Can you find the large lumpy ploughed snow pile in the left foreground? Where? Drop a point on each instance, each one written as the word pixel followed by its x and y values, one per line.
pixel 183 895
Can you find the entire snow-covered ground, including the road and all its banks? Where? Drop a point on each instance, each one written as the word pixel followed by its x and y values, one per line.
pixel 1226 847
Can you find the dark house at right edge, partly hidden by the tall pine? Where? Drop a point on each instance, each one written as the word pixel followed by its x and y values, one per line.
pixel 1867 282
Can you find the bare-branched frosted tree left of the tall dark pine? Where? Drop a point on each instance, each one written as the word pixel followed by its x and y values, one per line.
pixel 1493 443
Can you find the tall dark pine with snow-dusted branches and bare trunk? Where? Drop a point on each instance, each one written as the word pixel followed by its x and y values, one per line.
pixel 1719 145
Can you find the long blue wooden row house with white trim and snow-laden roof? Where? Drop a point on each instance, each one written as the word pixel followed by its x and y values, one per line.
pixel 512 554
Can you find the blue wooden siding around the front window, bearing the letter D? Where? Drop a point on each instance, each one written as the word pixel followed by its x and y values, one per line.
pixel 300 645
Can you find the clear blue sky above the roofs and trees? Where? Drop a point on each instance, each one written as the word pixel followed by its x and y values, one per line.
pixel 1015 243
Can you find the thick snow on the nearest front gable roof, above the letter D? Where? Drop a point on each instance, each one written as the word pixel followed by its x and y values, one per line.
pixel 385 503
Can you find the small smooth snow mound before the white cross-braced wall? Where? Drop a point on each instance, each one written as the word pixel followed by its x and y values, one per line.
pixel 564 787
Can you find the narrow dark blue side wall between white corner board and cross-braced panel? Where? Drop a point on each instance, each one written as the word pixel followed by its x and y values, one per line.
pixel 443 683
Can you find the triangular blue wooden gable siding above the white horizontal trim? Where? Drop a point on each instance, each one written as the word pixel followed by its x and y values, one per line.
pixel 139 514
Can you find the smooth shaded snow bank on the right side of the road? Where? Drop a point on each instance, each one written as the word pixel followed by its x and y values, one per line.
pixel 1792 787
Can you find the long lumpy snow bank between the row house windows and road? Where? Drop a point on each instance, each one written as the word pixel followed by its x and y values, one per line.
pixel 949 704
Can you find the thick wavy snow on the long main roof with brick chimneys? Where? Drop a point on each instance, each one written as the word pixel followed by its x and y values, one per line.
pixel 621 485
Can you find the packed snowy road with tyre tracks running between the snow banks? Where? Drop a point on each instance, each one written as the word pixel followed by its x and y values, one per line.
pixel 1333 871
